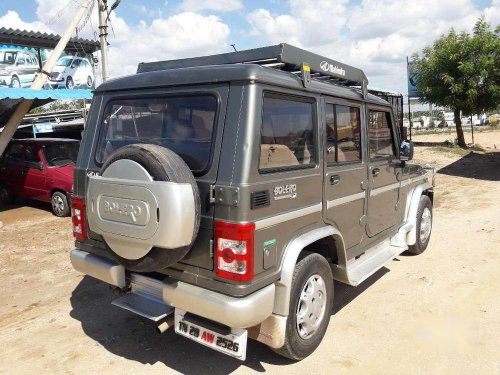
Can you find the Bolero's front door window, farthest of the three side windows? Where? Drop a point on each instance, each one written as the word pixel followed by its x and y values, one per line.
pixel 380 135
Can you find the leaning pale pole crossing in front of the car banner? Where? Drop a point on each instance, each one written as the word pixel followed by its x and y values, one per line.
pixel 23 107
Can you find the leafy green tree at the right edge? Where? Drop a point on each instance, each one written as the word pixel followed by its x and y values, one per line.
pixel 459 71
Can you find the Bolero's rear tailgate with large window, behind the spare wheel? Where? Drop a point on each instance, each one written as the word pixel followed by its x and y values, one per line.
pixel 190 122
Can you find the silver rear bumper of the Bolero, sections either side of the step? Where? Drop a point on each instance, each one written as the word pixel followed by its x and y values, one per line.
pixel 234 312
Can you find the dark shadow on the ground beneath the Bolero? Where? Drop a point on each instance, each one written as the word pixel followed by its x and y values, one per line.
pixel 134 338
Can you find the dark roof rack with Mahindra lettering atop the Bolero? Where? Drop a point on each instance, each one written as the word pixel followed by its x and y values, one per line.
pixel 282 57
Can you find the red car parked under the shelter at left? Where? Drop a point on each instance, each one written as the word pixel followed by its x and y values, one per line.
pixel 40 169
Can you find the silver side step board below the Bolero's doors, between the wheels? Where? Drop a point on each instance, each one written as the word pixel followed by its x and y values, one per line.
pixel 358 270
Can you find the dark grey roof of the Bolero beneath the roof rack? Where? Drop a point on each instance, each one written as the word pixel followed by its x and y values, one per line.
pixel 229 73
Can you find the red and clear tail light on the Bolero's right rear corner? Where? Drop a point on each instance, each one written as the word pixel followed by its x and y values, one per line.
pixel 234 250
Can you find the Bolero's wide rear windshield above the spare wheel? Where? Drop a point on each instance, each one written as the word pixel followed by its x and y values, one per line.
pixel 184 124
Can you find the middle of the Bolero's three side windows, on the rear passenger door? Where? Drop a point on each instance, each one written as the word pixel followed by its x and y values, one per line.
pixel 343 134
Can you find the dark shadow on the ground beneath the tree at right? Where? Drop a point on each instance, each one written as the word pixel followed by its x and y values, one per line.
pixel 474 165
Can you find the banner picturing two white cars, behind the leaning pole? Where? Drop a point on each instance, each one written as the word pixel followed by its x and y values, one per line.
pixel 20 65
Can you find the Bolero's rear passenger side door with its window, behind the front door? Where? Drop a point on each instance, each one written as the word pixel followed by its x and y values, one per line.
pixel 345 169
